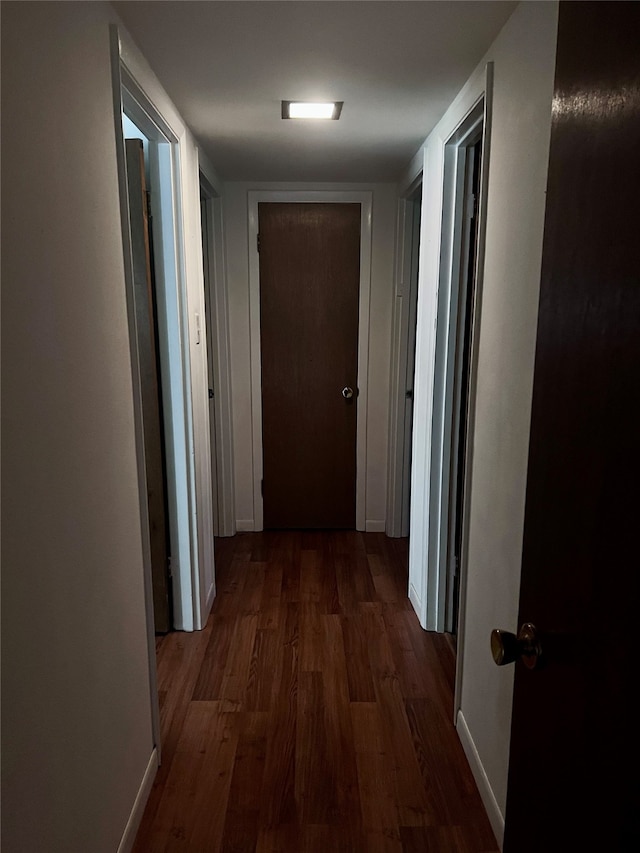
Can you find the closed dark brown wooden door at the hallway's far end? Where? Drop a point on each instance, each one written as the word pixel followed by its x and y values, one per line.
pixel 309 296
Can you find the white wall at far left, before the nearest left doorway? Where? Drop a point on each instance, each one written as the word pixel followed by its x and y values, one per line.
pixel 77 734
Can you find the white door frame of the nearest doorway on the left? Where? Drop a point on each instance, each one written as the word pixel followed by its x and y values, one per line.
pixel 165 155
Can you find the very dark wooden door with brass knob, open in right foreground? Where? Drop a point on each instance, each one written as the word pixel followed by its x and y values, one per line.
pixel 573 764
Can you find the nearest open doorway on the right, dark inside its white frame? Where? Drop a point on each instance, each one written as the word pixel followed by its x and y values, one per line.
pixel 457 310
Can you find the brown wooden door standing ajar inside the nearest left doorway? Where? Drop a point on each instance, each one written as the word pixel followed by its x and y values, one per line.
pixel 146 335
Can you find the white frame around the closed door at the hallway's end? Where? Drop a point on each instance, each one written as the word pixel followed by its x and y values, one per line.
pixel 364 199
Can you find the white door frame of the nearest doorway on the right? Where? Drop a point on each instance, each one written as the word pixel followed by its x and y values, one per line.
pixel 429 503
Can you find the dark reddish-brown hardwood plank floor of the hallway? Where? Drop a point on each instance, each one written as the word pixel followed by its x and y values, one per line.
pixel 312 713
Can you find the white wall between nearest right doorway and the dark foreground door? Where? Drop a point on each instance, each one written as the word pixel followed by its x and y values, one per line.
pixel 524 57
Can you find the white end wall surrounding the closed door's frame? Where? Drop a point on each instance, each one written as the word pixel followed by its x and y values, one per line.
pixel 383 235
